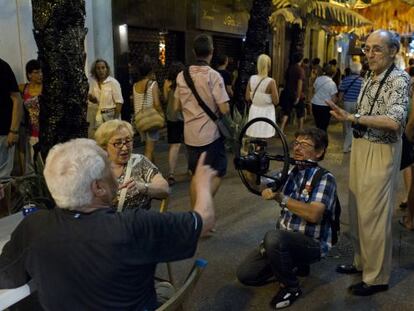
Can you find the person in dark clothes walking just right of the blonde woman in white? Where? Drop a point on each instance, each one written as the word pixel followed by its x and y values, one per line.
pixel 293 96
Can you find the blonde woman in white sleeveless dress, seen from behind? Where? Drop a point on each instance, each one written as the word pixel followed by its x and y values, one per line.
pixel 262 93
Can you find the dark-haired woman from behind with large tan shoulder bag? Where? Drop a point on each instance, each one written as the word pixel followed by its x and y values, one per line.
pixel 149 117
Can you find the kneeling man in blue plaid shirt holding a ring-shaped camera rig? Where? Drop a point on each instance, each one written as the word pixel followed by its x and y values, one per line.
pixel 303 232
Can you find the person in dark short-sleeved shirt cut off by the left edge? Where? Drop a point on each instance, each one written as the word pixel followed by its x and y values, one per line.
pixel 10 115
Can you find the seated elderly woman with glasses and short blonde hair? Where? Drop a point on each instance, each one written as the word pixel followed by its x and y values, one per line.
pixel 145 181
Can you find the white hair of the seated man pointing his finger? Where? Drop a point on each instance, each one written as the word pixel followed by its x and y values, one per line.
pixel 71 168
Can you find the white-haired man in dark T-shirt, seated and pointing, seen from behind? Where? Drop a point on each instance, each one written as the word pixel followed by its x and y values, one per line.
pixel 83 255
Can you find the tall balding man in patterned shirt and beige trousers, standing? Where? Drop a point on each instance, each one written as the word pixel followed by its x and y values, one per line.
pixel 375 161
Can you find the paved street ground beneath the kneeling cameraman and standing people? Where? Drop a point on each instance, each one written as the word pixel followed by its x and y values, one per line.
pixel 243 219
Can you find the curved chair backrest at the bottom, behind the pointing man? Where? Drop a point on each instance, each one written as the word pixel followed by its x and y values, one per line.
pixel 178 298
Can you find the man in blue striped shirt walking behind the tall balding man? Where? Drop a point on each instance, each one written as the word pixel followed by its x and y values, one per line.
pixel 348 94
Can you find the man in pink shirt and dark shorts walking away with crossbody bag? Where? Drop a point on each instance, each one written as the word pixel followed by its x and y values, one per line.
pixel 200 132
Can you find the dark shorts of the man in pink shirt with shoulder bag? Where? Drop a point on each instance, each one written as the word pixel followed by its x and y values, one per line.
pixel 216 156
